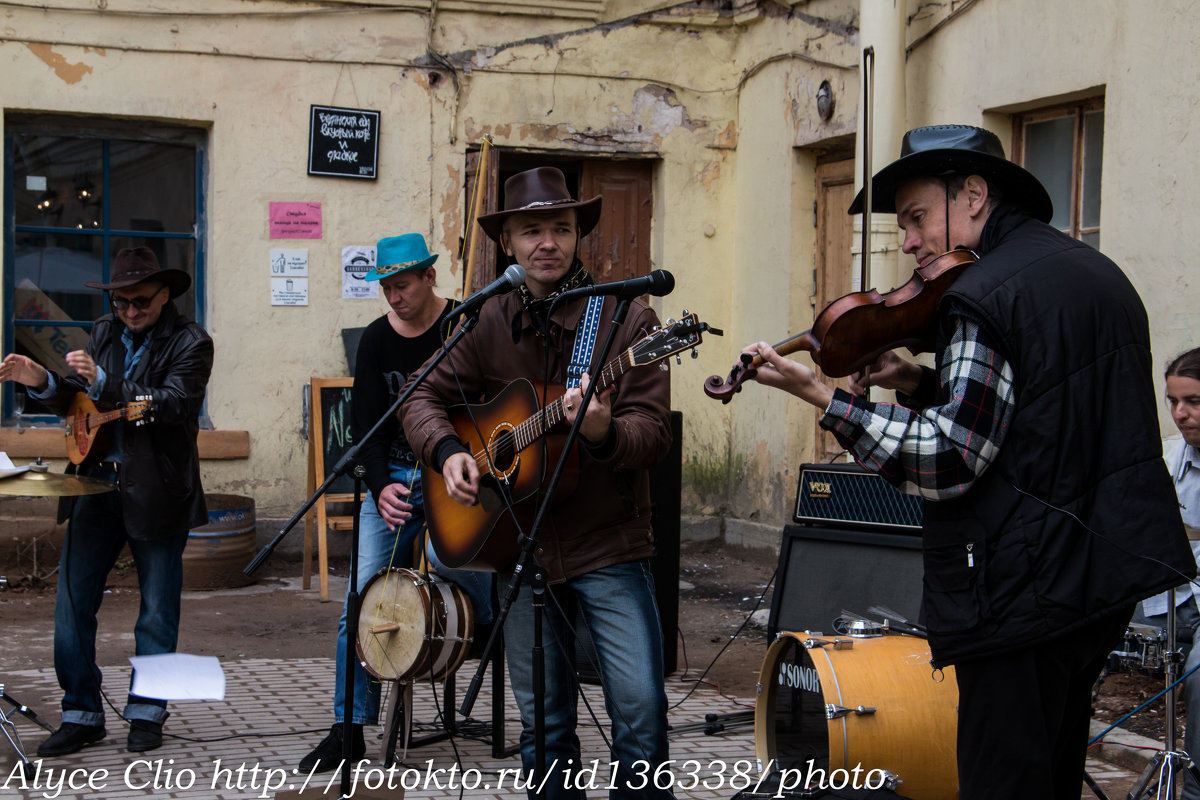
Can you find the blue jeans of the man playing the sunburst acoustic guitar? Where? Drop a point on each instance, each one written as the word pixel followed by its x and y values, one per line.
pixel 619 606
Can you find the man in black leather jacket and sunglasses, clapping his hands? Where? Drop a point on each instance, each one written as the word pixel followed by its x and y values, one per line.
pixel 145 350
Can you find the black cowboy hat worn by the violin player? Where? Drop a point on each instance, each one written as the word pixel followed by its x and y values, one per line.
pixel 941 151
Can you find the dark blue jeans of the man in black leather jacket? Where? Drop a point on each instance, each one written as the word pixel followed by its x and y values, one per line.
pixel 94 542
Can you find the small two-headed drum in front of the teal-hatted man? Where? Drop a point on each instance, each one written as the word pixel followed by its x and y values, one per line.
pixel 413 627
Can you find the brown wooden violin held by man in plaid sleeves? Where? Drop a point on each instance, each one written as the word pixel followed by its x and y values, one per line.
pixel 856 329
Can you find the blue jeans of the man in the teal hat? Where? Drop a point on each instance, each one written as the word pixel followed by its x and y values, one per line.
pixel 382 546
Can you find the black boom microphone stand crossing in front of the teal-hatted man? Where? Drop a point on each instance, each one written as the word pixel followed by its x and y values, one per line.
pixel 352 596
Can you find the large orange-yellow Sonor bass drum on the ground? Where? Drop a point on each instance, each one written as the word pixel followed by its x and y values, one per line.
pixel 873 703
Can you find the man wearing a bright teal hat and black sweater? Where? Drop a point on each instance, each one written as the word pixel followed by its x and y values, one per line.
pixel 392 348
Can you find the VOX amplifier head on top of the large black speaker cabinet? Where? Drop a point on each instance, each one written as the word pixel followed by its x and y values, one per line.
pixel 848 495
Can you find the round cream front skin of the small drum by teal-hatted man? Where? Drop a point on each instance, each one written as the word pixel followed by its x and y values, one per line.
pixel 394 616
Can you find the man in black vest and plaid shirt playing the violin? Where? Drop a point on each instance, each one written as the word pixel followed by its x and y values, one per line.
pixel 1035 442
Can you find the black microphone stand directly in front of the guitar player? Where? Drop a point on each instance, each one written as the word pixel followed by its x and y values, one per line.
pixel 538 579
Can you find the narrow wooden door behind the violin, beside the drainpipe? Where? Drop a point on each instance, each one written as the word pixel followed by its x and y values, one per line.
pixel 836 233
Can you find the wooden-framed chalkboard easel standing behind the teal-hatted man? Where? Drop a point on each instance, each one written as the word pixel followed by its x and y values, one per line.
pixel 329 438
